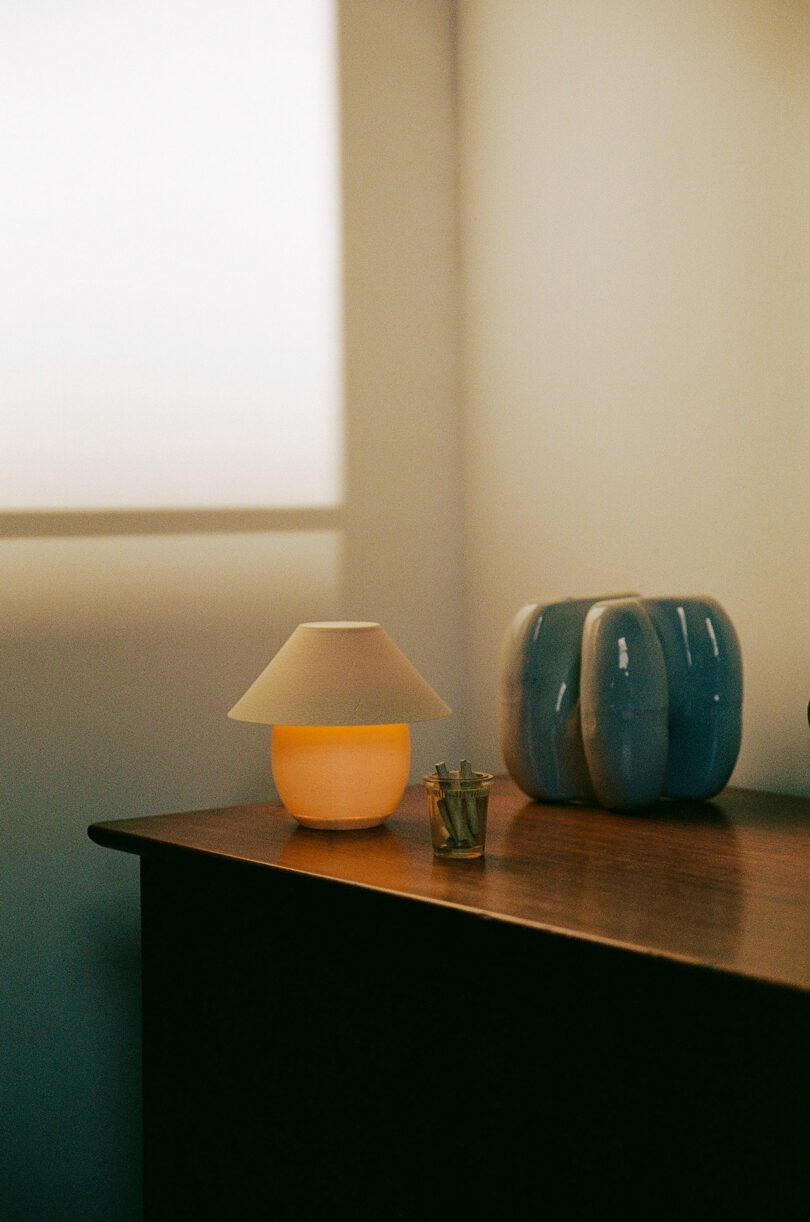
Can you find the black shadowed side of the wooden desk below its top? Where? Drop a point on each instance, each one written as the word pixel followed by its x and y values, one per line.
pixel 310 1045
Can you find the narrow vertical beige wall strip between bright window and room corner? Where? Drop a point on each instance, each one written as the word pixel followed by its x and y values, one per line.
pixel 405 563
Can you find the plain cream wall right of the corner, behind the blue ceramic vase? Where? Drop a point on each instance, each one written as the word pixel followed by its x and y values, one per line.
pixel 636 229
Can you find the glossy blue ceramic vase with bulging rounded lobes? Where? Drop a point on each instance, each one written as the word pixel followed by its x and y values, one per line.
pixel 621 700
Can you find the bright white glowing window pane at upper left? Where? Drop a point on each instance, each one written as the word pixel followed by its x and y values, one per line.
pixel 169 255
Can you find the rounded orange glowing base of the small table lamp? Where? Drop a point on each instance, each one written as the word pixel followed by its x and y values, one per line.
pixel 340 777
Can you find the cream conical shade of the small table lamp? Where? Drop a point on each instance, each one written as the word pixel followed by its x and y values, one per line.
pixel 341 674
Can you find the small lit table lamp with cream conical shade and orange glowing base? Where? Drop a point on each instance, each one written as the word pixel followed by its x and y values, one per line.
pixel 340 697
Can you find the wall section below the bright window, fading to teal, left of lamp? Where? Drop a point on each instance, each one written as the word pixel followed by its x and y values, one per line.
pixel 119 660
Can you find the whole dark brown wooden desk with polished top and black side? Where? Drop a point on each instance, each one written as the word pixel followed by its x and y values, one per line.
pixel 608 1012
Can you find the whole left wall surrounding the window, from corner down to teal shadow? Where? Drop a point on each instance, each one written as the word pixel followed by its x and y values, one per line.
pixel 120 654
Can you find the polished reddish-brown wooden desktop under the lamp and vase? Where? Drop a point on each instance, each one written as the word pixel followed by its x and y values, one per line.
pixel 725 884
